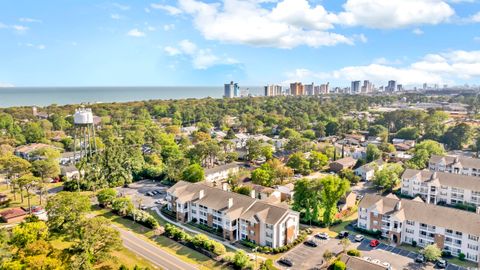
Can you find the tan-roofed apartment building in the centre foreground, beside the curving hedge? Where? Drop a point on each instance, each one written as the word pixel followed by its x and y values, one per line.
pixel 238 216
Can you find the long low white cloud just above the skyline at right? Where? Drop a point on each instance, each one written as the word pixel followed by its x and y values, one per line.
pixel 445 67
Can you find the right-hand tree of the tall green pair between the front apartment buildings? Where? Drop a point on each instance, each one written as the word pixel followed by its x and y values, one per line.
pixel 333 189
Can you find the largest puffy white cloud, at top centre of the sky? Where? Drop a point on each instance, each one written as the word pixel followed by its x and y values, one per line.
pixel 289 24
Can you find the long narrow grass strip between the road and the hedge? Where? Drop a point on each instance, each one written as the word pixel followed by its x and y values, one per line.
pixel 184 253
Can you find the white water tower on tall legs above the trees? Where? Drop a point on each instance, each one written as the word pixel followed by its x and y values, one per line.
pixel 84 132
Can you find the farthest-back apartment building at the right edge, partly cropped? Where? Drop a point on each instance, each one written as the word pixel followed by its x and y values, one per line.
pixel 455 164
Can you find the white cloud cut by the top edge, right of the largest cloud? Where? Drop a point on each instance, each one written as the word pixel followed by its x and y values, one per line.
pixel 394 13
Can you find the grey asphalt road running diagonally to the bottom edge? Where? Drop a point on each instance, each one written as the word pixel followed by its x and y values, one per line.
pixel 152 252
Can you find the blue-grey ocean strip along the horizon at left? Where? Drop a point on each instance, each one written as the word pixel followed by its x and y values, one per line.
pixel 44 96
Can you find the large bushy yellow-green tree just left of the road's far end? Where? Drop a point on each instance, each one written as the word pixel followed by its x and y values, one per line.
pixel 66 210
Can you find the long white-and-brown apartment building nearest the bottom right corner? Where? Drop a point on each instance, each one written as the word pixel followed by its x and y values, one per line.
pixel 405 221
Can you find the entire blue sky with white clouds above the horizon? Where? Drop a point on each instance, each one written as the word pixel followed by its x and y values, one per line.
pixel 252 42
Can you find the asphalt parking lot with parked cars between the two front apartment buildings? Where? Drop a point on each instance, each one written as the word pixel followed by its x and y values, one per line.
pixel 305 257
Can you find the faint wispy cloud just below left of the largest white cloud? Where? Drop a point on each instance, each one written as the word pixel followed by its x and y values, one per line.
pixel 200 58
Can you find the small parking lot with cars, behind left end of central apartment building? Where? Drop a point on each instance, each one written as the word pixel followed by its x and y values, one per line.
pixel 138 192
